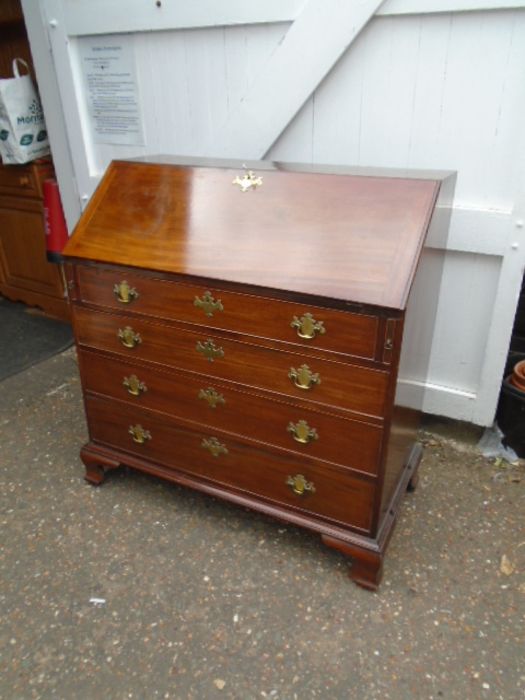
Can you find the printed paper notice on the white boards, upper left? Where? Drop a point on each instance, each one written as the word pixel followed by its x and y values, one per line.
pixel 111 90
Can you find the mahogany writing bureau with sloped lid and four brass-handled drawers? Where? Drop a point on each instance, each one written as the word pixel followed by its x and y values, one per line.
pixel 239 332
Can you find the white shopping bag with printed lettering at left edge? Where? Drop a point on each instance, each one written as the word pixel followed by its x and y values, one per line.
pixel 23 134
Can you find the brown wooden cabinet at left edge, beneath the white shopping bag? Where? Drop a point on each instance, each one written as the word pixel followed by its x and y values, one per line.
pixel 25 274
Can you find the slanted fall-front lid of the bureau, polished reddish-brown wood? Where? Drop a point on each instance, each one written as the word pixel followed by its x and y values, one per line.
pixel 344 236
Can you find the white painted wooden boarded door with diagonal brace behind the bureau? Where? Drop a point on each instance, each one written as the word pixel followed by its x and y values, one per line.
pixel 433 85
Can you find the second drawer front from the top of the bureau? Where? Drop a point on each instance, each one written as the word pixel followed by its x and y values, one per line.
pixel 347 386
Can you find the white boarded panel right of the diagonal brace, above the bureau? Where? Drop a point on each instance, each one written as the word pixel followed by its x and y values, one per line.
pixel 442 91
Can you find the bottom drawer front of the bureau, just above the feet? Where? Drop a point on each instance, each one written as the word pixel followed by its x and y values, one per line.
pixel 328 492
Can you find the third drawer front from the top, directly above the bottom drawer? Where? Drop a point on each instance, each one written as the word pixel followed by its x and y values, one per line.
pixel 348 443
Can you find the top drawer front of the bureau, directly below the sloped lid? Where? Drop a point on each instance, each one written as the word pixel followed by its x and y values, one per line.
pixel 339 331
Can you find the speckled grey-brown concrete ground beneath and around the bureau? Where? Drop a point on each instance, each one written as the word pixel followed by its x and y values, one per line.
pixel 201 599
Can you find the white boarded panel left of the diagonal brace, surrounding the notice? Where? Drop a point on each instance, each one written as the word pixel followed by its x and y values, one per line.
pixel 187 80
